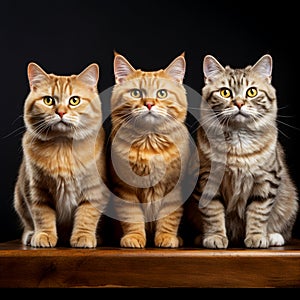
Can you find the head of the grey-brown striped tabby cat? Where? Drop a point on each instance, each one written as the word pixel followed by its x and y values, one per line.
pixel 241 96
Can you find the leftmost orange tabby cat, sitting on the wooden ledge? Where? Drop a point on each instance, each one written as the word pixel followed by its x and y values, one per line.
pixel 59 193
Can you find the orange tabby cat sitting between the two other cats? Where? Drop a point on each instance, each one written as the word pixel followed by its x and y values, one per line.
pixel 150 148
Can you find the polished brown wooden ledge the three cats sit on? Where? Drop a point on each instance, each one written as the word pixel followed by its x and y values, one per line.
pixel 22 266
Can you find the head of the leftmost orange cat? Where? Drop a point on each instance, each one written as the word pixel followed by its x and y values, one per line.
pixel 62 106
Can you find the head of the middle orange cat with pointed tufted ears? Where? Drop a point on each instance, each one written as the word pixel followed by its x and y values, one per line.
pixel 150 99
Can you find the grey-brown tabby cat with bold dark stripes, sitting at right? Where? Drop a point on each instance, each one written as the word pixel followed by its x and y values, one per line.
pixel 250 198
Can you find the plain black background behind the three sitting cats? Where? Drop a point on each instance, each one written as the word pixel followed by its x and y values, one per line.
pixel 66 36
